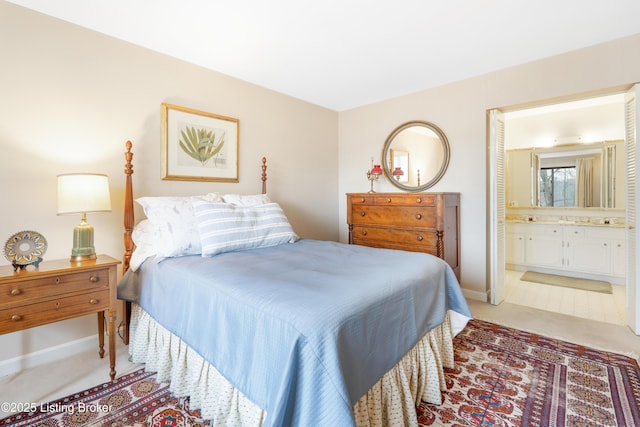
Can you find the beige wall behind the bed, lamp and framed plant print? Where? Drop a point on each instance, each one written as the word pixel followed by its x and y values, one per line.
pixel 70 98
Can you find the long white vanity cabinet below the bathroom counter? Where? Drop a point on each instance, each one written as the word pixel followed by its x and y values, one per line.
pixel 584 249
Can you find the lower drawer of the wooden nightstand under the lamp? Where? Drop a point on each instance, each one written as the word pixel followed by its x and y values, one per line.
pixel 40 313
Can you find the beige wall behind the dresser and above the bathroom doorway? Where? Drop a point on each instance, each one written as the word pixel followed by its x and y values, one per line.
pixel 459 109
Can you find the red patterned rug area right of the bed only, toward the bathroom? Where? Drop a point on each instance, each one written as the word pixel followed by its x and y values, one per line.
pixel 505 377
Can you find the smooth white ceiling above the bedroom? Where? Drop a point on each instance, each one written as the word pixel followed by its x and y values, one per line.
pixel 341 54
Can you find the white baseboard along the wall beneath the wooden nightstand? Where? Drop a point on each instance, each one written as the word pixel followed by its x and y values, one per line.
pixel 47 355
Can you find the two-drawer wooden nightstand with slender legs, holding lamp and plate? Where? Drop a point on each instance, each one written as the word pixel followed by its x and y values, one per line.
pixel 60 290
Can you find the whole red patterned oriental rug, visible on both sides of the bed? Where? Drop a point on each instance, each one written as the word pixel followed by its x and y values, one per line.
pixel 503 378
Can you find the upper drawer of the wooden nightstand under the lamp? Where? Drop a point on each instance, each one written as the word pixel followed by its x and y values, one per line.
pixel 21 291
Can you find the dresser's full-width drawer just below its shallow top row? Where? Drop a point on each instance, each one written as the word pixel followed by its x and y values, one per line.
pixel 408 216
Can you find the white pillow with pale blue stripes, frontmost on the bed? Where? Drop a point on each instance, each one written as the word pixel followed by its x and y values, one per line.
pixel 225 227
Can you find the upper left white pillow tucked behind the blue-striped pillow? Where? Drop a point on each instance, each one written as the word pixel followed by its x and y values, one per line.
pixel 175 224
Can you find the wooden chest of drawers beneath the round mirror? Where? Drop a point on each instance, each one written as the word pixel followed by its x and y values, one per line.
pixel 418 222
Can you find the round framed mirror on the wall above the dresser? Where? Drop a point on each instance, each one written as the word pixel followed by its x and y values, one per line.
pixel 415 156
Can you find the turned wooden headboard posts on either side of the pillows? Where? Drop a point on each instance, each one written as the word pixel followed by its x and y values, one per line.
pixel 129 222
